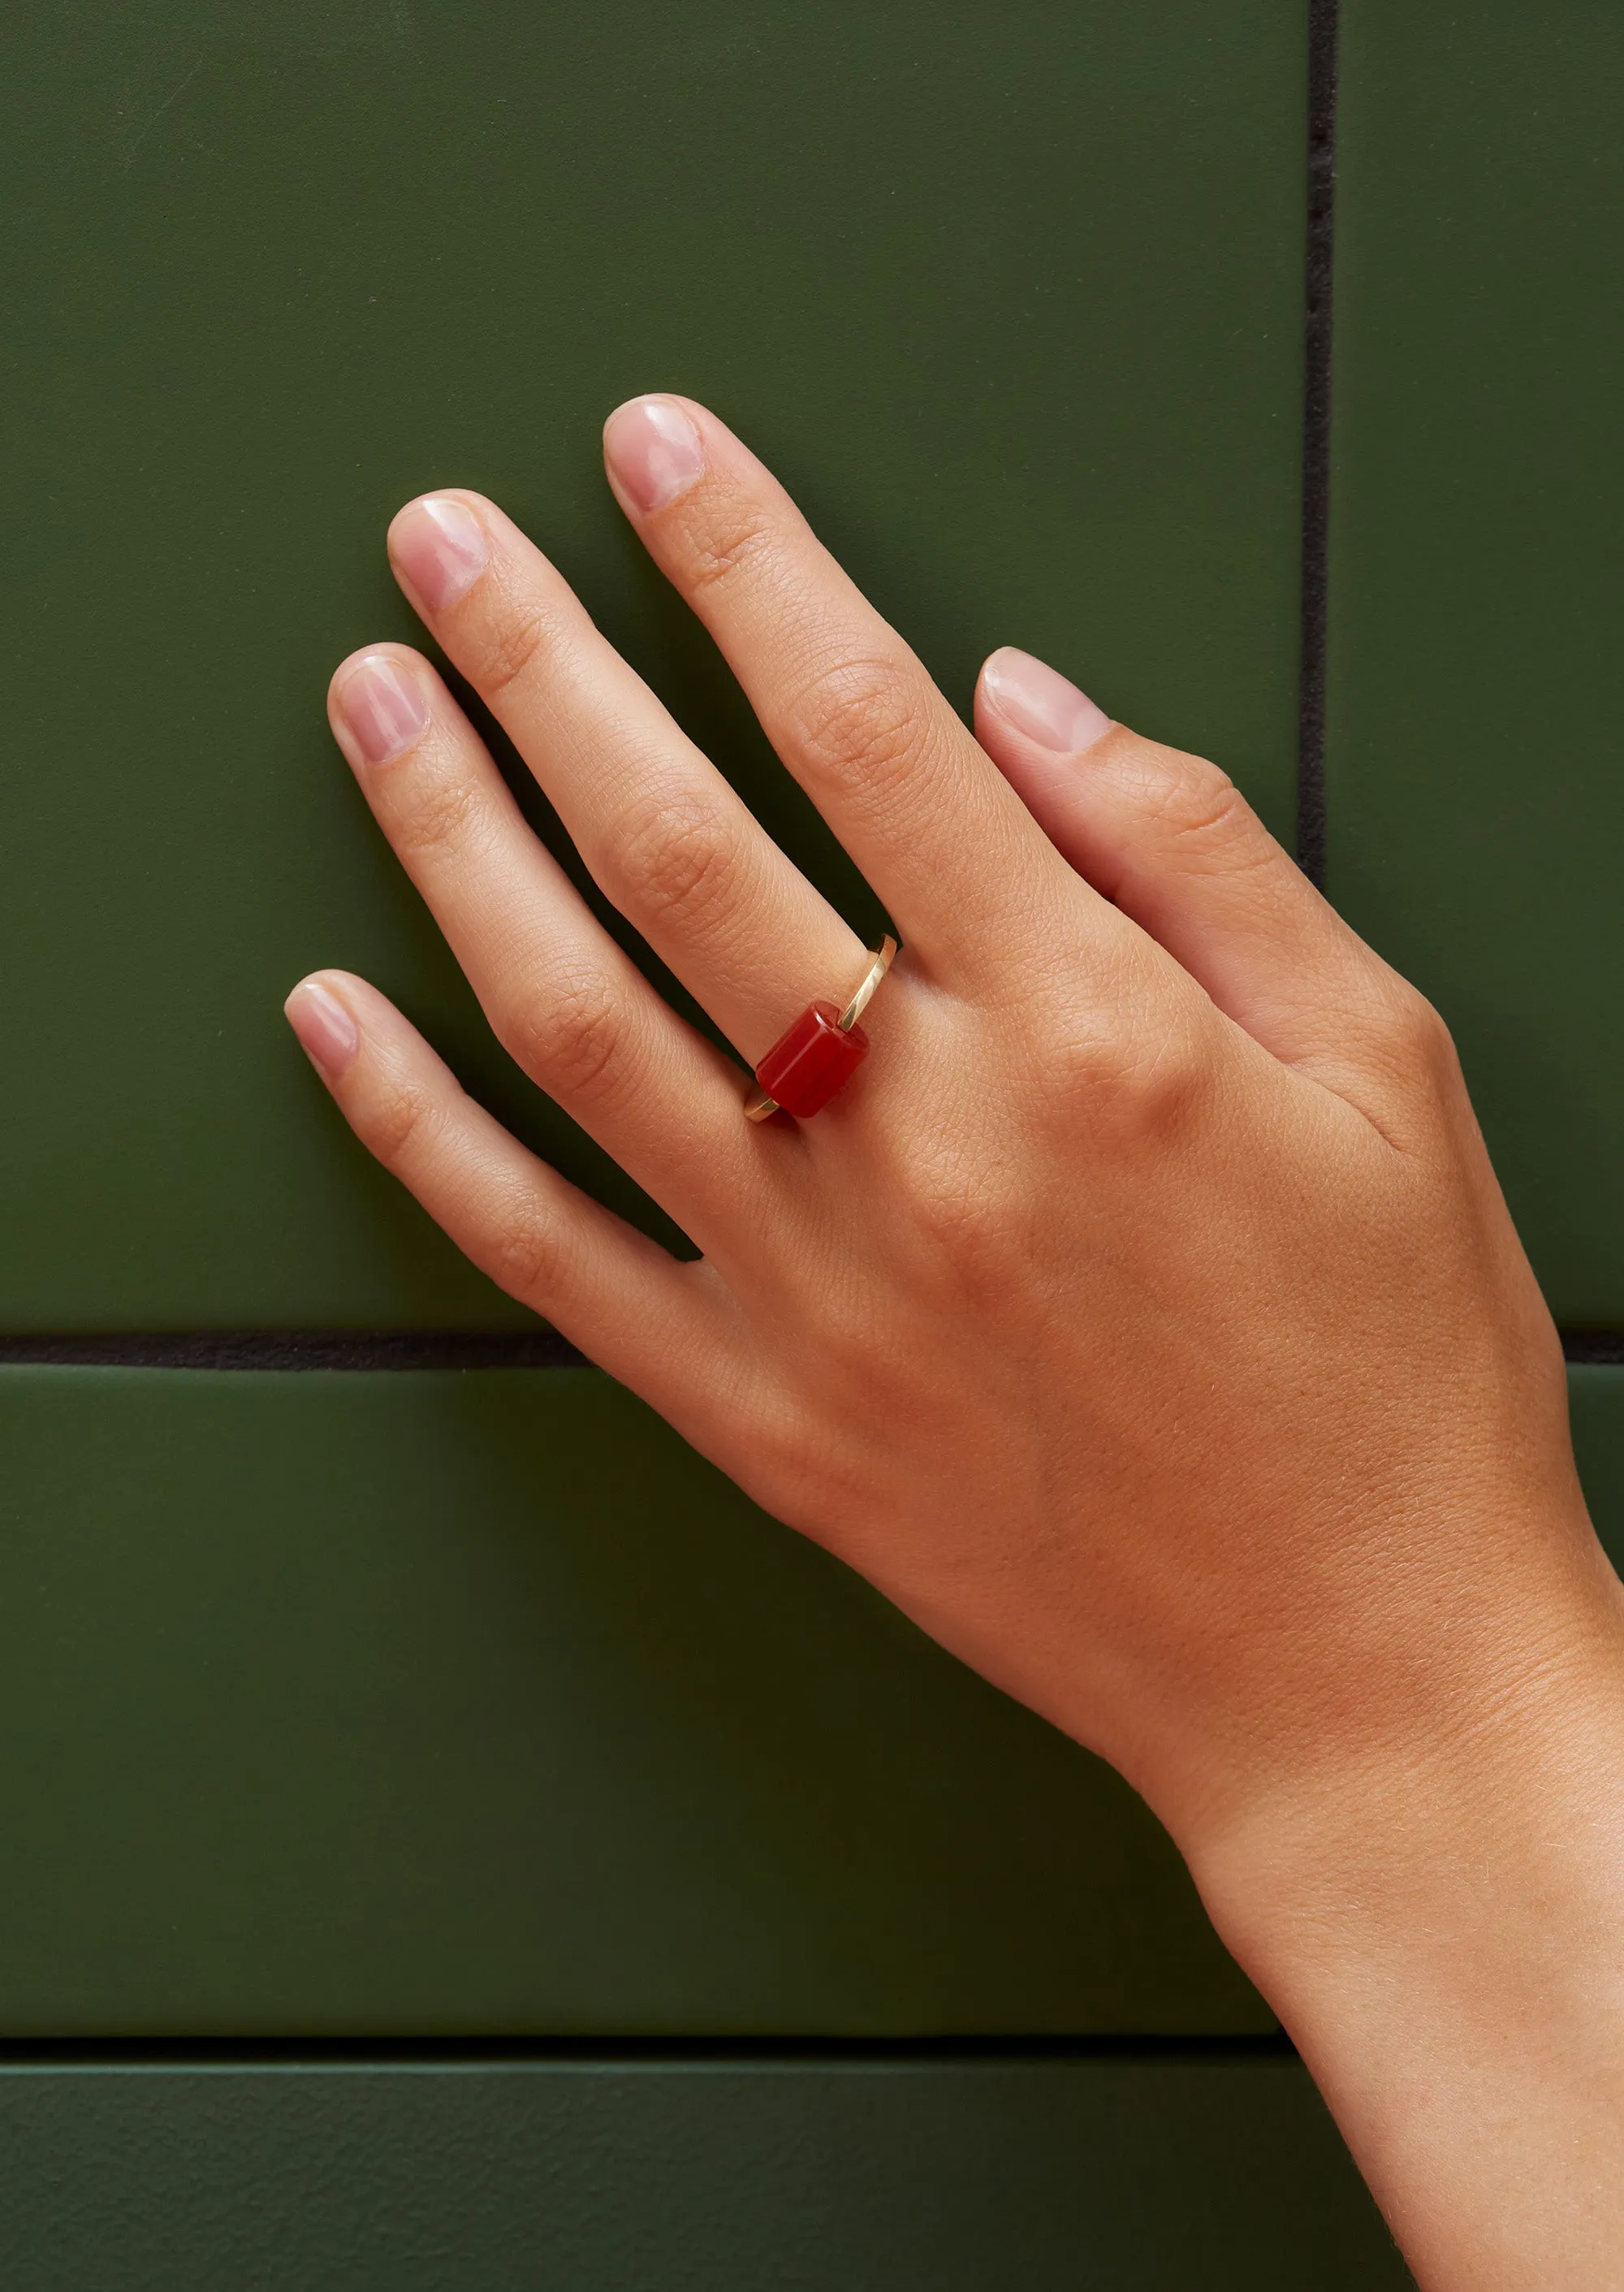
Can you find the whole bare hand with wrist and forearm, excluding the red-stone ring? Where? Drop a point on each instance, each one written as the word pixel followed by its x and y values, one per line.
pixel 1144 1317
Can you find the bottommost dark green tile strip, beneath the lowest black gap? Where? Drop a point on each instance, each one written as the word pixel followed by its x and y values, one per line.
pixel 1059 2176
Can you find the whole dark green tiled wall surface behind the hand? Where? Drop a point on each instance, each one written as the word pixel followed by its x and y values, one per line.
pixel 388 1706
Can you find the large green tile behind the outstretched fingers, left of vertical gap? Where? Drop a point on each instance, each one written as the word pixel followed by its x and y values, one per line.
pixel 1011 297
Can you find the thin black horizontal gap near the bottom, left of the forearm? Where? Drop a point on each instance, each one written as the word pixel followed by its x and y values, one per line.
pixel 425 2052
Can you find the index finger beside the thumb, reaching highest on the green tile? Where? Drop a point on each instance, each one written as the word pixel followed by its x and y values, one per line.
pixel 846 702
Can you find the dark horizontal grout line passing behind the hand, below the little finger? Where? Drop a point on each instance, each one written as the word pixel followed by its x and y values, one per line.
pixel 407 1349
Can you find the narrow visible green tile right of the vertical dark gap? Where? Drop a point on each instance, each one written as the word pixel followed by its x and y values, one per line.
pixel 1476 810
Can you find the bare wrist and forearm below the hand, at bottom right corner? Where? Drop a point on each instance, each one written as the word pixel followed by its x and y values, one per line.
pixel 1446 1947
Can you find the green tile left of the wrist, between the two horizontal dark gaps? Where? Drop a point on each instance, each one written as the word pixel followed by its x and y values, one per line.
pixel 427 1704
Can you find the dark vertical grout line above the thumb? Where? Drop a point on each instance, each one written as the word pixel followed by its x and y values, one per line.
pixel 1311 705
